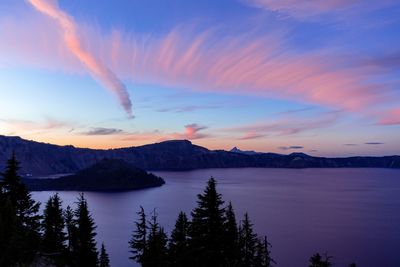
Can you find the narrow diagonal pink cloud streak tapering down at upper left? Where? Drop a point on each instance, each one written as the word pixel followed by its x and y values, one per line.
pixel 74 43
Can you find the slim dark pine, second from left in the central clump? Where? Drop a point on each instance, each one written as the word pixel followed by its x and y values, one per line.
pixel 156 255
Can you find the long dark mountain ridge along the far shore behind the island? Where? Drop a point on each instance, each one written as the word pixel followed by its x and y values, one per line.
pixel 45 159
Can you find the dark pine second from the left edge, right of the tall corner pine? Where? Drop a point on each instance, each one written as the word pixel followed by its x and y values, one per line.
pixel 53 227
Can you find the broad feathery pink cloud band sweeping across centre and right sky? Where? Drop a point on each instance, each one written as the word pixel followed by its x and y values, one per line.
pixel 258 66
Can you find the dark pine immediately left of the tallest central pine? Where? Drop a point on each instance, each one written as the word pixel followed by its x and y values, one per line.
pixel 179 242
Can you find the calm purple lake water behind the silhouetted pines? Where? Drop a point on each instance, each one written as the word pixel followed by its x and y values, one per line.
pixel 352 214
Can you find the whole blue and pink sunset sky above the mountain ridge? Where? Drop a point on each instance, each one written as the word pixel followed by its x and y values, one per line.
pixel 320 77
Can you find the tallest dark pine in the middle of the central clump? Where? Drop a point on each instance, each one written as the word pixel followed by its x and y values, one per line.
pixel 207 231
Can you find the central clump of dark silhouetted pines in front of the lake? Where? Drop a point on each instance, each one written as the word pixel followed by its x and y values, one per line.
pixel 211 238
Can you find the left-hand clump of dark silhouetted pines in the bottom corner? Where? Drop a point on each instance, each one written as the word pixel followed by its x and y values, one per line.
pixel 56 238
